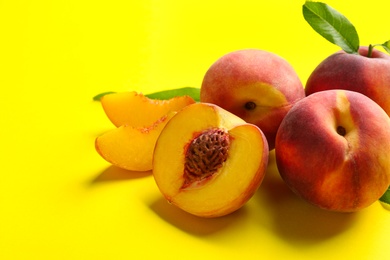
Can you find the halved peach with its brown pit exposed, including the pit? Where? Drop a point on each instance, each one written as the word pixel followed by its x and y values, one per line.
pixel 208 161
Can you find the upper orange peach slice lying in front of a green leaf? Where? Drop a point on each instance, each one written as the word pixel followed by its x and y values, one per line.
pixel 137 110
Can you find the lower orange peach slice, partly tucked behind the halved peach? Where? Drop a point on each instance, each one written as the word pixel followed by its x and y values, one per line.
pixel 131 148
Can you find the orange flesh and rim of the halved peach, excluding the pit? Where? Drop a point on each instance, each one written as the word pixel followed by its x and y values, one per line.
pixel 232 184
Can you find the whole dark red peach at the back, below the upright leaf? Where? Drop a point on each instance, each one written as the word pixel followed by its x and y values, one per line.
pixel 369 76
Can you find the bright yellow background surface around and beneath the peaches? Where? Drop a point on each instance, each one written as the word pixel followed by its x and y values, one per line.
pixel 60 200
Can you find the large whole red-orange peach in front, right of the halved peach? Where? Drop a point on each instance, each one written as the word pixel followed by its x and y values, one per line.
pixel 335 172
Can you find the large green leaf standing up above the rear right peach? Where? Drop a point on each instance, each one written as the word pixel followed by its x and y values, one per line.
pixel 332 25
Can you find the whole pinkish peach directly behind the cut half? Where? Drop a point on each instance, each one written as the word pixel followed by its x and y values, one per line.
pixel 256 85
